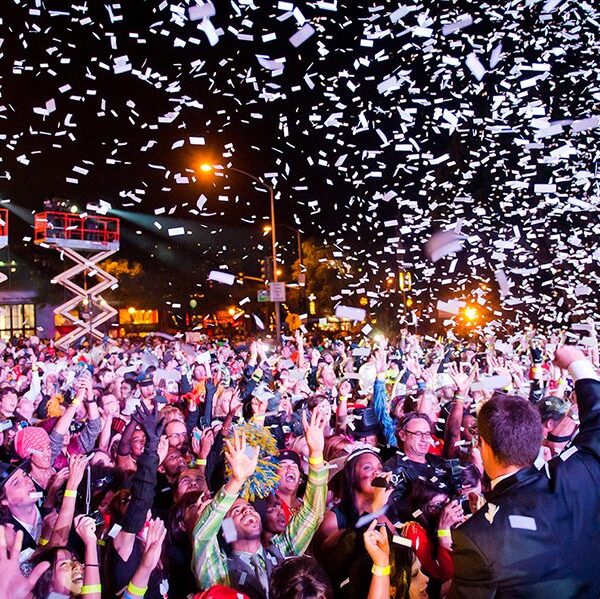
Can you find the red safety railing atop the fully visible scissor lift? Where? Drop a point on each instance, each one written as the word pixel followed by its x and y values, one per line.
pixel 55 226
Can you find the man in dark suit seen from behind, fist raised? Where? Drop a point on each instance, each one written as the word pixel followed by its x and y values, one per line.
pixel 539 534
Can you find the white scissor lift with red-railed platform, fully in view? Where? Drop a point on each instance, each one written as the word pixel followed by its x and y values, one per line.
pixel 85 240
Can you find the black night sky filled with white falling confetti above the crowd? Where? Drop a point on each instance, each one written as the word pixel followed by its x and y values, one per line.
pixel 387 123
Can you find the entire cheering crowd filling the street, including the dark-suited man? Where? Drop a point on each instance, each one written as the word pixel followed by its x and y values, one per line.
pixel 326 467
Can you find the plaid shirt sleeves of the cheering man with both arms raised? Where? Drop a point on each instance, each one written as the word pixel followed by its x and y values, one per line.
pixel 210 562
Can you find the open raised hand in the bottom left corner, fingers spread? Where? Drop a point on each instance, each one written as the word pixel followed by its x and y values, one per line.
pixel 12 583
